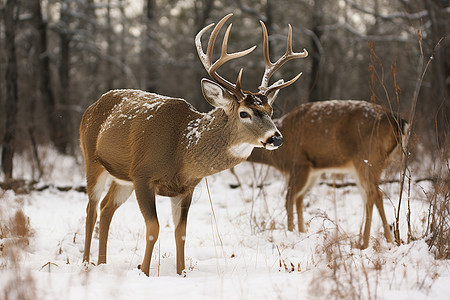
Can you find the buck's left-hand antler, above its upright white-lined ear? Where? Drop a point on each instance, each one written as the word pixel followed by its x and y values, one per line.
pixel 206 59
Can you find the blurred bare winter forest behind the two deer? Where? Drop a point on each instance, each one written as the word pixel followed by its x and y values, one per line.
pixel 58 57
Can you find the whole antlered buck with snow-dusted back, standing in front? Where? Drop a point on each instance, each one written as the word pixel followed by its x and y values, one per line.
pixel 160 145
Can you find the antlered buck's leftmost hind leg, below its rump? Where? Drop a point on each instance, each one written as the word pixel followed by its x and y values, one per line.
pixel 96 177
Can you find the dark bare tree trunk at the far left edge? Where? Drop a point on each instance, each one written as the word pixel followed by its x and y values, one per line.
pixel 12 97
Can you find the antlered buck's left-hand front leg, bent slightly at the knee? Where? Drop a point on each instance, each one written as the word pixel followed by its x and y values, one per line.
pixel 145 195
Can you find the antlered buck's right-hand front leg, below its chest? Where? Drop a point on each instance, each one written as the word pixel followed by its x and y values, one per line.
pixel 180 208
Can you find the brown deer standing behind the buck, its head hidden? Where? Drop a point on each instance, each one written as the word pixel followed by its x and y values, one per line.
pixel 353 137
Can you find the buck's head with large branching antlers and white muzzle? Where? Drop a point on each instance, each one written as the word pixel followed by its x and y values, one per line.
pixel 253 110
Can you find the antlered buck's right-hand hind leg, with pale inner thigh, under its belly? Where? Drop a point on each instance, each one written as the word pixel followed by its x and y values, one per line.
pixel 116 196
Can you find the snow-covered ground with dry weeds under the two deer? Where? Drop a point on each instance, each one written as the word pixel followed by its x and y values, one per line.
pixel 237 246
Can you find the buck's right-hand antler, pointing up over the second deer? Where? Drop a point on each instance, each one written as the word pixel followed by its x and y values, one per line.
pixel 272 67
